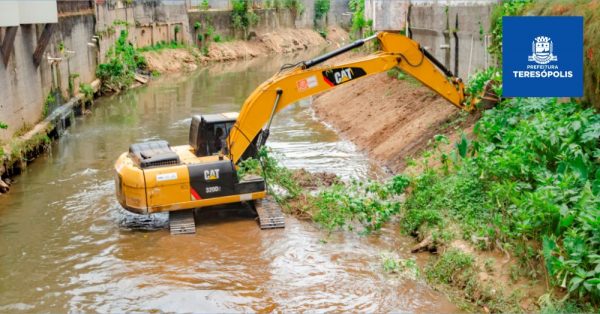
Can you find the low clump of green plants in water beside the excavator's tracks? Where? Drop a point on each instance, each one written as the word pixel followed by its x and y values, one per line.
pixel 336 207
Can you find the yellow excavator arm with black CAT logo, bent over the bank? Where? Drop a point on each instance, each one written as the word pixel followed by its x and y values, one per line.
pixel 307 79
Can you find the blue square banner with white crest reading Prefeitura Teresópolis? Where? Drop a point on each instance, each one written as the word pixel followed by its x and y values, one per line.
pixel 542 56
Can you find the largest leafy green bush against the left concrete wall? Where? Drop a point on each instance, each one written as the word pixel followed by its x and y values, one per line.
pixel 123 61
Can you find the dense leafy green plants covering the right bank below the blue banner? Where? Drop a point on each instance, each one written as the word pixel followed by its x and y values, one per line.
pixel 530 174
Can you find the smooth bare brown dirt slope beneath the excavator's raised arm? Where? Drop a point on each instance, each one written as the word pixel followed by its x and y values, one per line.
pixel 388 118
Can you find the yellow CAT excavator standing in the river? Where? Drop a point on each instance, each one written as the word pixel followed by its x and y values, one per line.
pixel 156 177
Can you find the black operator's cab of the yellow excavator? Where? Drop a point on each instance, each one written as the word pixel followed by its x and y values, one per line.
pixel 208 133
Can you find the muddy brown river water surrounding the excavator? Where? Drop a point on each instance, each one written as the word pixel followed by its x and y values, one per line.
pixel 65 244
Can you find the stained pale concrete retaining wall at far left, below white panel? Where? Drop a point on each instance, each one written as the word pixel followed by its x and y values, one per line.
pixel 24 87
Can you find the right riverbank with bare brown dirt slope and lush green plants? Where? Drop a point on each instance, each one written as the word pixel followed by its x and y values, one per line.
pixel 491 228
